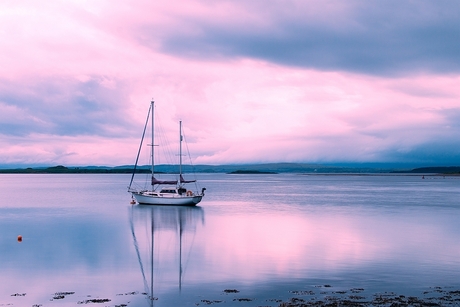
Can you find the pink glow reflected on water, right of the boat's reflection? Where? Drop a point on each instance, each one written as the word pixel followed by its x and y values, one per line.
pixel 249 246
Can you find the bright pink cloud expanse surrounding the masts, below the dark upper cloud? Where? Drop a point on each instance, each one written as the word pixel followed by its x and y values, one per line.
pixel 235 109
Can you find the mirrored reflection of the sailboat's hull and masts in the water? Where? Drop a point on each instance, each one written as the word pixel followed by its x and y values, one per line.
pixel 162 237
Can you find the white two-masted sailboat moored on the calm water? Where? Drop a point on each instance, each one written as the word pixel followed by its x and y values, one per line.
pixel 164 192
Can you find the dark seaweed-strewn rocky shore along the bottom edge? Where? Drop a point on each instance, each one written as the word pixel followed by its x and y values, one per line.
pixel 322 296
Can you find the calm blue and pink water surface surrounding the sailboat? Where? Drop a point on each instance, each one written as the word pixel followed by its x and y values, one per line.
pixel 263 235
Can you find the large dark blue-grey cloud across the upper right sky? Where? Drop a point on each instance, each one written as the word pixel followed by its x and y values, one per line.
pixel 388 38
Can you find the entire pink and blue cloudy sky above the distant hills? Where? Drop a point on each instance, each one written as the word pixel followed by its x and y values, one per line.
pixel 284 81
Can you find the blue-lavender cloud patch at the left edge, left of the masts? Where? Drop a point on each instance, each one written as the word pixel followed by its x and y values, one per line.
pixel 59 106
